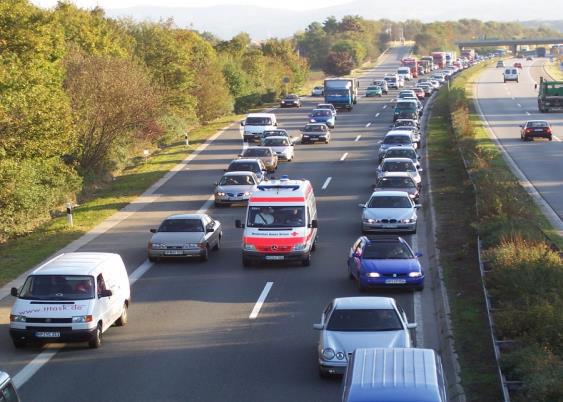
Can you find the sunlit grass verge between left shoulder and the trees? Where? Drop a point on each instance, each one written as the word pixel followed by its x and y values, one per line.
pixel 20 254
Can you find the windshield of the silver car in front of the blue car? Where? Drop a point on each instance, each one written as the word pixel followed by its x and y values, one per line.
pixel 364 320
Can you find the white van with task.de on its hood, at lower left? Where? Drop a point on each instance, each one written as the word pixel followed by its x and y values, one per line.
pixel 73 297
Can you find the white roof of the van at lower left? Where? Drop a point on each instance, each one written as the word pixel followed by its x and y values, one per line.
pixel 77 263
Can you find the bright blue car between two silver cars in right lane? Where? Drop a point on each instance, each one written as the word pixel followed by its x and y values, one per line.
pixel 384 261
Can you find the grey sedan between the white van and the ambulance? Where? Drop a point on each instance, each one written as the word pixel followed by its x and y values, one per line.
pixel 185 235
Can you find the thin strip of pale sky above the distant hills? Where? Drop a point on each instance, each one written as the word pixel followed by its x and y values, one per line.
pixel 289 4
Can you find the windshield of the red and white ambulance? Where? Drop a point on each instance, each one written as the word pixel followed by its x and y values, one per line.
pixel 276 216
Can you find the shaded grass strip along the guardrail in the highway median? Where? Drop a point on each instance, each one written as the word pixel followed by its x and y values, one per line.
pixel 454 202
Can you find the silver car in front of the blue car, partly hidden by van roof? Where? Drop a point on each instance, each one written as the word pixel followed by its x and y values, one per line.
pixel 349 323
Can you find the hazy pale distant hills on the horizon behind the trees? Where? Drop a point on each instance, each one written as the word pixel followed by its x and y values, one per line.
pixel 265 22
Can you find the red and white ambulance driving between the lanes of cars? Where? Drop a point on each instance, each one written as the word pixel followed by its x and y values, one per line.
pixel 281 222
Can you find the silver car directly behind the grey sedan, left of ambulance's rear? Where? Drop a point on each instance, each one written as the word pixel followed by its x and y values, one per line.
pixel 235 188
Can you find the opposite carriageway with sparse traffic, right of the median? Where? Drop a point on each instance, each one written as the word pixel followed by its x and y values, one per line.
pixel 505 107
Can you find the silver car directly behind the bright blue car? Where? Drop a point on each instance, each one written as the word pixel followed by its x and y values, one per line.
pixel 389 211
